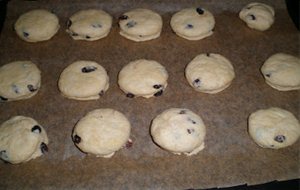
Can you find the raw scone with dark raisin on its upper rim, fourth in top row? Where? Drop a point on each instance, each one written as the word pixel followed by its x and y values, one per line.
pixel 193 23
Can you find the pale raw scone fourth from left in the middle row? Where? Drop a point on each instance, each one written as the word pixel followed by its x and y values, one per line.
pixel 209 73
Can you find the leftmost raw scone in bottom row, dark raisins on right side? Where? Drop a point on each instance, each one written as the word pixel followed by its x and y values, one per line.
pixel 22 139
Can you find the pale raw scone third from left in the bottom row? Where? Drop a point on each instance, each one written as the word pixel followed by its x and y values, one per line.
pixel 179 131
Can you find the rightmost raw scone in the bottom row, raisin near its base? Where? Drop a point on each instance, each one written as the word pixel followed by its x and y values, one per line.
pixel 274 128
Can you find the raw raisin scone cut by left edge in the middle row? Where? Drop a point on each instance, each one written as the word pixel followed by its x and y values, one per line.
pixel 19 80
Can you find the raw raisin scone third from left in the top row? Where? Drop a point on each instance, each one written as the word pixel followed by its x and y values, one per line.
pixel 140 25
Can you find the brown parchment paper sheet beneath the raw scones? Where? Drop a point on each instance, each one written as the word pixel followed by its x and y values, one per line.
pixel 230 156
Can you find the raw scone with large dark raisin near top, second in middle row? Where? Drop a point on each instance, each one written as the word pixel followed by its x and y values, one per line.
pixel 83 80
